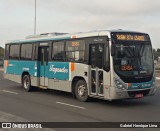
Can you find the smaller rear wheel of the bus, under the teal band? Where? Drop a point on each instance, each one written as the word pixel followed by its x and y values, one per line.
pixel 26 83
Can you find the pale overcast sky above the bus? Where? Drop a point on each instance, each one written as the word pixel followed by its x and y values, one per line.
pixel 17 17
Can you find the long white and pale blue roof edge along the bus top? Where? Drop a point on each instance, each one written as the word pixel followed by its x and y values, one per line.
pixel 63 36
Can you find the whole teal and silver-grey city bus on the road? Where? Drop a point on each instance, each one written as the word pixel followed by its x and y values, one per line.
pixel 105 64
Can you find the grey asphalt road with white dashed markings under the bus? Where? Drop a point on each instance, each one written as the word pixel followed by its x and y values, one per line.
pixel 54 106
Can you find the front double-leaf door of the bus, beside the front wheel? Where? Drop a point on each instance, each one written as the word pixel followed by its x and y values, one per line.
pixel 96 61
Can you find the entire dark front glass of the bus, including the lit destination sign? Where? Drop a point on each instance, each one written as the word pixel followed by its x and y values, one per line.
pixel 132 56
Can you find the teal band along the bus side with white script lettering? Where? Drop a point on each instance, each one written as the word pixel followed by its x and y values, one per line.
pixel 54 70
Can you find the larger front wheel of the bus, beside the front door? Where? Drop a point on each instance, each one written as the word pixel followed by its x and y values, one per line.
pixel 81 91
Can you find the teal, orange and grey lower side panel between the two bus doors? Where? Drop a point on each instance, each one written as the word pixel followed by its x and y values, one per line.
pixel 61 74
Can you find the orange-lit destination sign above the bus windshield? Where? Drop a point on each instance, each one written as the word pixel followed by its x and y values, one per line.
pixel 130 37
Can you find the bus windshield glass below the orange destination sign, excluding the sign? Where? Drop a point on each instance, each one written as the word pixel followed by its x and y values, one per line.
pixel 133 59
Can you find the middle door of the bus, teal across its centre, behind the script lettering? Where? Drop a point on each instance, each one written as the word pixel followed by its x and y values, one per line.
pixel 43 68
